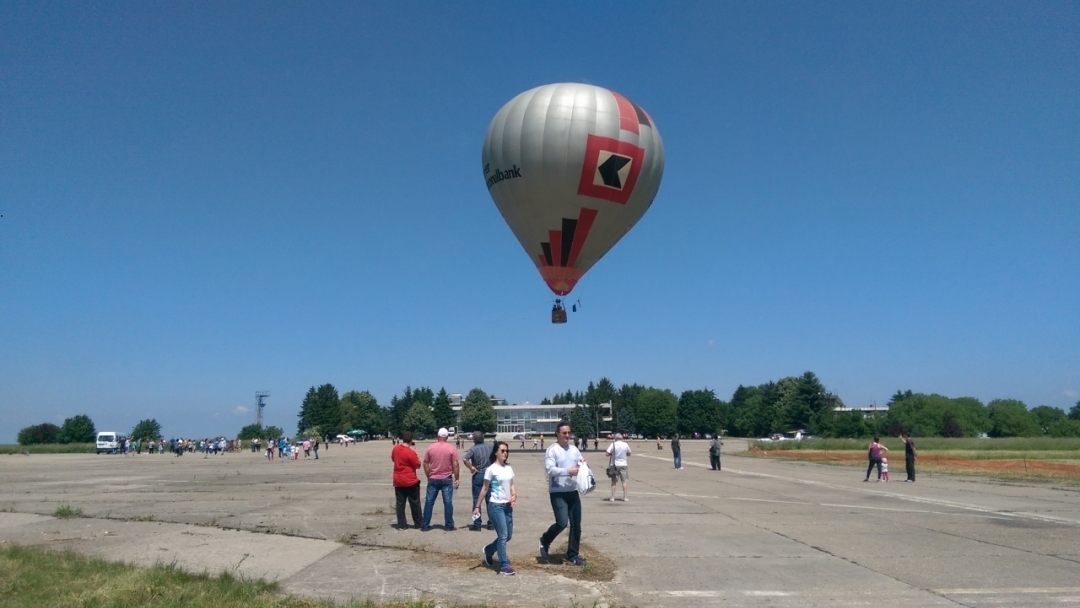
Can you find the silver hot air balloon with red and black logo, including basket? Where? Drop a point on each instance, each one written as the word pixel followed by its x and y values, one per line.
pixel 572 168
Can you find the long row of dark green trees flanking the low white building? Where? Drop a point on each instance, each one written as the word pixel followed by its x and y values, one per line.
pixel 789 404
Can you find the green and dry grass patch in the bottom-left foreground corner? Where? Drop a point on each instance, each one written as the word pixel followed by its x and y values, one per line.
pixel 33 577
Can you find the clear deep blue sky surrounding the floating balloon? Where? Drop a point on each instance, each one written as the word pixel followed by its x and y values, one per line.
pixel 205 200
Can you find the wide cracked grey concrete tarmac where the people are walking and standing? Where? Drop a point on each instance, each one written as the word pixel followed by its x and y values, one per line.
pixel 760 533
